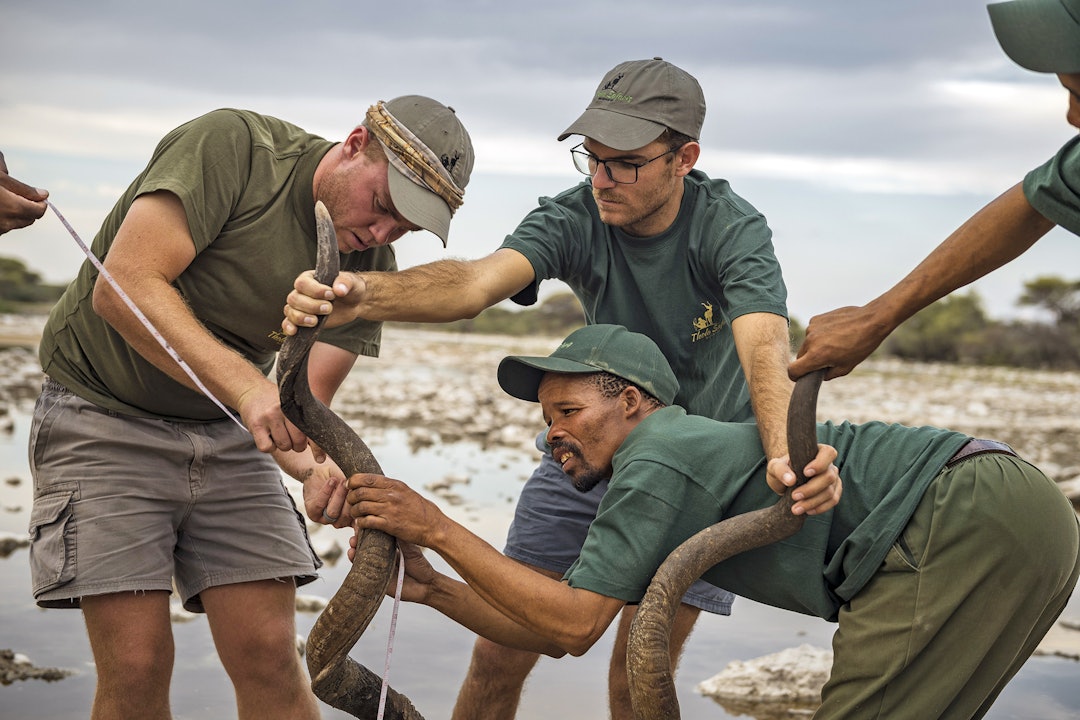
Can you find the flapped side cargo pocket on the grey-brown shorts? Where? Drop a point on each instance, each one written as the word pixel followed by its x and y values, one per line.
pixel 52 540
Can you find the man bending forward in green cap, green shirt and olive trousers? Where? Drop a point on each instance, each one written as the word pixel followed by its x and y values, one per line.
pixel 946 564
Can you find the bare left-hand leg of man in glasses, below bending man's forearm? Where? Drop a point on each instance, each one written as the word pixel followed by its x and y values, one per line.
pixel 496 678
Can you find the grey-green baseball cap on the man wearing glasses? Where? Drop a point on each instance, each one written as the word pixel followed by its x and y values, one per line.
pixel 640 100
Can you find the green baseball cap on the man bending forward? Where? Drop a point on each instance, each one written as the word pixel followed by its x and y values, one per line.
pixel 595 349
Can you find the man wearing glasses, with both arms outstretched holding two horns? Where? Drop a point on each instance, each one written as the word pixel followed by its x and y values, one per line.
pixel 650 243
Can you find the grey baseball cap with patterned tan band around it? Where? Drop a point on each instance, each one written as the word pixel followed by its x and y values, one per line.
pixel 438 127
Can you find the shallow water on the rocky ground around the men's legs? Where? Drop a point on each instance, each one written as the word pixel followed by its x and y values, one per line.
pixel 430 654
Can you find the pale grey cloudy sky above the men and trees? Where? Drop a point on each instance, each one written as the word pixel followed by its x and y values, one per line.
pixel 866 132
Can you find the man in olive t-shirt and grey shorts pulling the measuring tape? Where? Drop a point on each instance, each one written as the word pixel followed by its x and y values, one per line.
pixel 142 481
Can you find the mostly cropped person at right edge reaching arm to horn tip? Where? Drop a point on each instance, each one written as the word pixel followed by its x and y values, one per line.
pixel 1042 36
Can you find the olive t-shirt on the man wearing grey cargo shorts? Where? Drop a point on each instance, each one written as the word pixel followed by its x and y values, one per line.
pixel 246 182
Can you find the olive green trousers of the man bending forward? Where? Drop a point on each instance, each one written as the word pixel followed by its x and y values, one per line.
pixel 978 578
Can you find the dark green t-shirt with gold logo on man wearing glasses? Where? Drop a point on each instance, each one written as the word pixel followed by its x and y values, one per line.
pixel 682 288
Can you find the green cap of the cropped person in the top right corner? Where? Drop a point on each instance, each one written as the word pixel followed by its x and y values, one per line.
pixel 1039 35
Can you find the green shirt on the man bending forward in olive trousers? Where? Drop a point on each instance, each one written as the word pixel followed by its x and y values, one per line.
pixel 678 474
